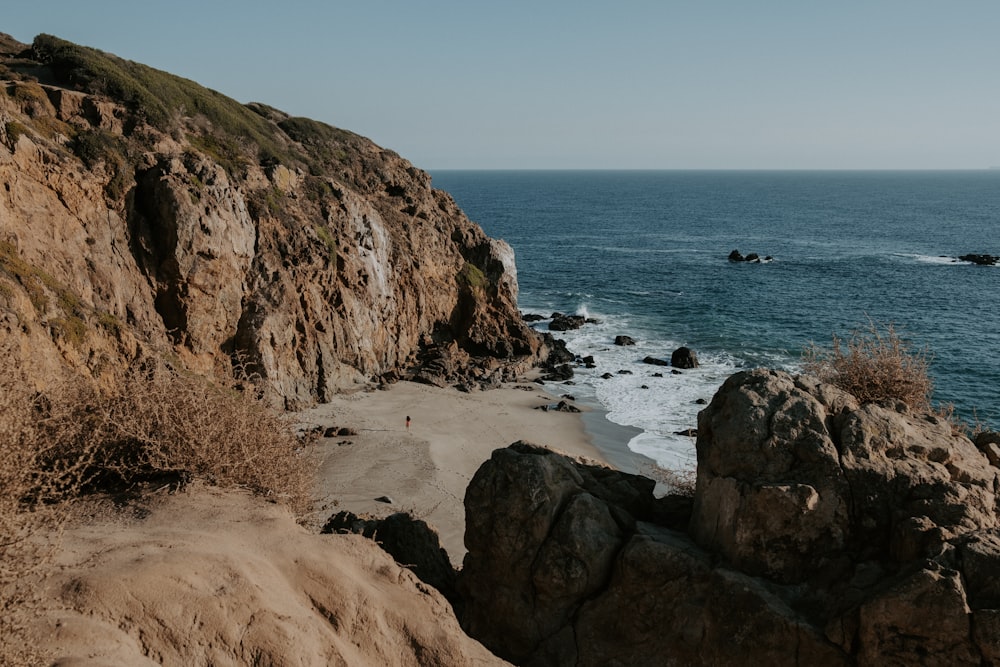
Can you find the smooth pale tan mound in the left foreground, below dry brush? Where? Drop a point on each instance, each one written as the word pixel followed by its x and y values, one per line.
pixel 218 578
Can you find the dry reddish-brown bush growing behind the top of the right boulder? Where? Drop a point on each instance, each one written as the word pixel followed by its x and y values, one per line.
pixel 874 365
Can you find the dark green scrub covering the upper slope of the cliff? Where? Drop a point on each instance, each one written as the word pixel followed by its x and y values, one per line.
pixel 233 134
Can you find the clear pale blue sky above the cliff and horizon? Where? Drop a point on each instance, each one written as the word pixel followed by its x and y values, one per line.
pixel 717 84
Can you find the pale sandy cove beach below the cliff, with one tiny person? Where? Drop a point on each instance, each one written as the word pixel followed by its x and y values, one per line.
pixel 424 469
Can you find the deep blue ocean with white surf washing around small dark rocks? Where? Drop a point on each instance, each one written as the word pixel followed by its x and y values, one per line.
pixel 645 252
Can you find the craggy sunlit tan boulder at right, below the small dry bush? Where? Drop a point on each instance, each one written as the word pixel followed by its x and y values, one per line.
pixel 827 479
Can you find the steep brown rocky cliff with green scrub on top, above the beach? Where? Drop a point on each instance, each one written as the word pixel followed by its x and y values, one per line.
pixel 143 214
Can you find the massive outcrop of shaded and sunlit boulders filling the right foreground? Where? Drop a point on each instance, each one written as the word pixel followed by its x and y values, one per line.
pixel 822 532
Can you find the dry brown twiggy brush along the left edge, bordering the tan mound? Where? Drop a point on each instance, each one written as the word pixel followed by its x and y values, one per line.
pixel 154 426
